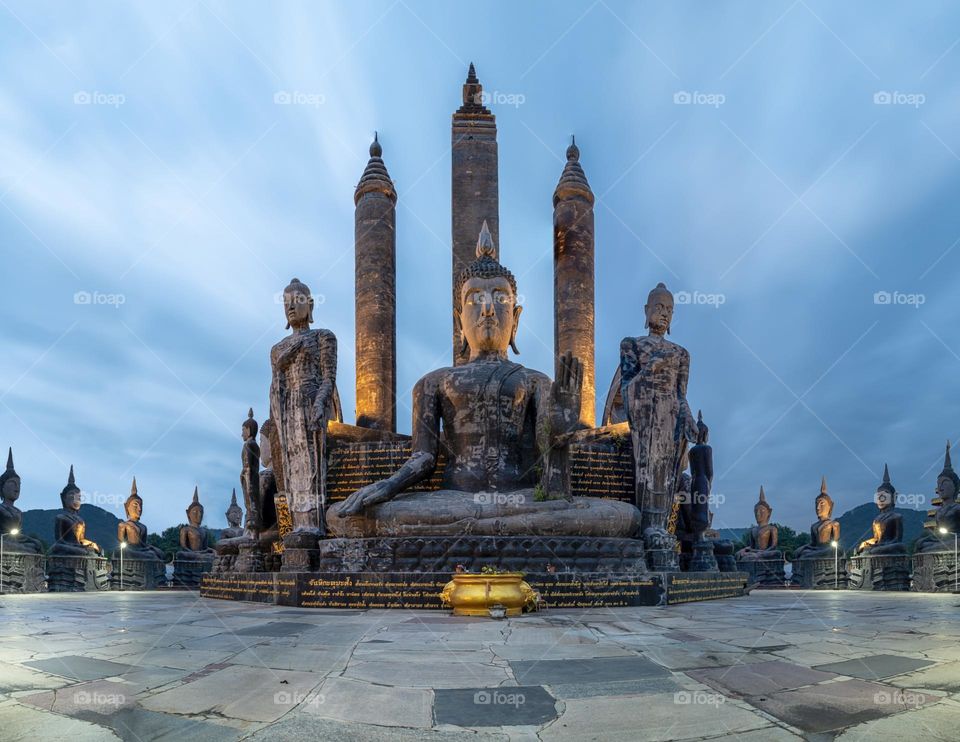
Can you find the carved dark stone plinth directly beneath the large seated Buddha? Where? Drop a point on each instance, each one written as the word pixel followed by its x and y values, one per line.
pixel 511 553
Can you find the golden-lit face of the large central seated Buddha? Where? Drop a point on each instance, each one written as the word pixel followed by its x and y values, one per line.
pixel 489 313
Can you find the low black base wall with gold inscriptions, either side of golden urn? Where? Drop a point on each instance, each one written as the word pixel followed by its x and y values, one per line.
pixel 422 590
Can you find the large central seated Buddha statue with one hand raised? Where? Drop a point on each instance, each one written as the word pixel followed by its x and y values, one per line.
pixel 503 429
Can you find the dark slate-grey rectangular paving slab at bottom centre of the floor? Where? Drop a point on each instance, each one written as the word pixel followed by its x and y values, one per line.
pixel 492 707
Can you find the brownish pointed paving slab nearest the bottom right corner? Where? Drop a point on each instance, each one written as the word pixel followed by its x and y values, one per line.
pixel 833 706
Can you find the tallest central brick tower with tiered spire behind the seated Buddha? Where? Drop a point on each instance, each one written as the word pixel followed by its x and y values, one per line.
pixel 475 192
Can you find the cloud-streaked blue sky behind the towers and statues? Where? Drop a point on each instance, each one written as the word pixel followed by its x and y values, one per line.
pixel 145 162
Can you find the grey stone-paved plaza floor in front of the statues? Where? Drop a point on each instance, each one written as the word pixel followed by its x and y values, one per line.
pixel 771 666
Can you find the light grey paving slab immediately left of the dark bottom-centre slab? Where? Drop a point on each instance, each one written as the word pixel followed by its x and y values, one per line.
pixel 343 699
